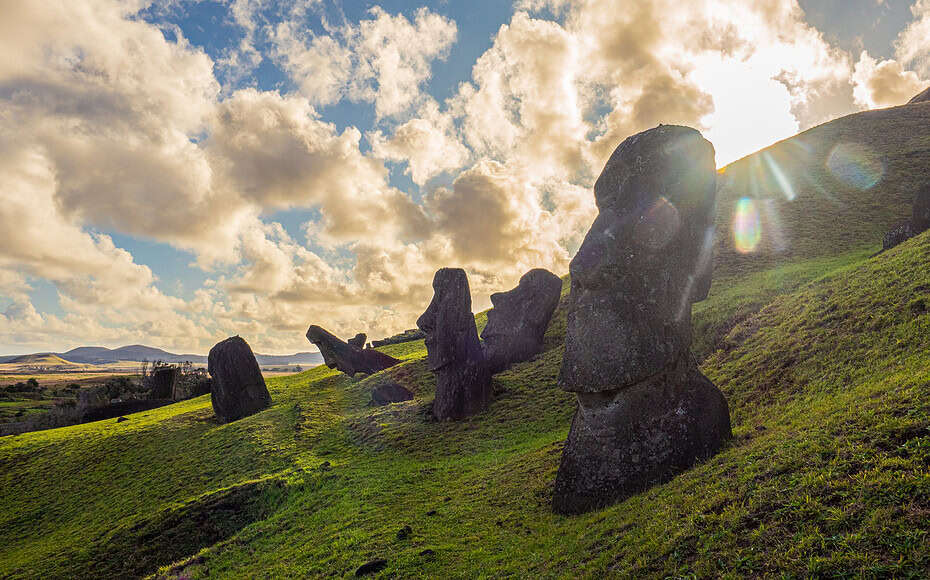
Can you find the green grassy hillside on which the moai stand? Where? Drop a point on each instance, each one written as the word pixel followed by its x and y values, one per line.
pixel 822 351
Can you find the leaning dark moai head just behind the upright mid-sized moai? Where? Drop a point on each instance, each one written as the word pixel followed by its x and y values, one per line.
pixel 517 323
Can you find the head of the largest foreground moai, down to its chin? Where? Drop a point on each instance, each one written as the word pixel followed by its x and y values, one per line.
pixel 645 260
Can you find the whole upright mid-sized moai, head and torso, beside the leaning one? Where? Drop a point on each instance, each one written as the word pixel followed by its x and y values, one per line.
pixel 463 382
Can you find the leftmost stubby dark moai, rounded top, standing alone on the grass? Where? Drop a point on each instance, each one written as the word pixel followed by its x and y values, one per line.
pixel 238 388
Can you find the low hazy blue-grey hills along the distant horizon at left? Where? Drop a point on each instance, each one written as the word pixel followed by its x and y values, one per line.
pixel 139 352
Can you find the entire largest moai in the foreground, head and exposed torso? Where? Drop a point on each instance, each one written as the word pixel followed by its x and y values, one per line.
pixel 644 412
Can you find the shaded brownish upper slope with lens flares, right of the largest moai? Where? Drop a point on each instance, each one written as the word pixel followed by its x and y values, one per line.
pixel 834 188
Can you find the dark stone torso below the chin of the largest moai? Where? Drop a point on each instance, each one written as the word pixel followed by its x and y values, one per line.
pixel 625 440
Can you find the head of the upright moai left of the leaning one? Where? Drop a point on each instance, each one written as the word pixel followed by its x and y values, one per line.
pixel 451 334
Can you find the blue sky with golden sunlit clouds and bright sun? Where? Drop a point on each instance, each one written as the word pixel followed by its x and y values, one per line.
pixel 173 172
